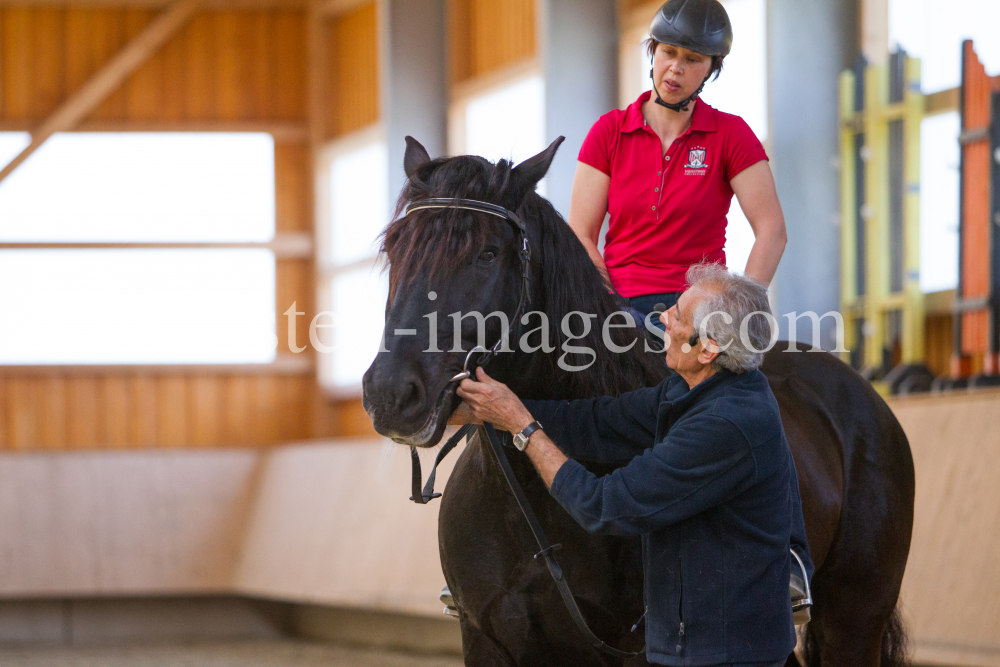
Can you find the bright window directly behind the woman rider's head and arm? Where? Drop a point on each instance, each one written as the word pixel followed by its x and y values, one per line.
pixel 741 89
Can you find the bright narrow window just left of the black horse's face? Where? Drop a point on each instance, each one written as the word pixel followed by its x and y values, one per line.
pixel 355 288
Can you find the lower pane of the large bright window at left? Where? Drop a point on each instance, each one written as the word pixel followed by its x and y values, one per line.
pixel 108 306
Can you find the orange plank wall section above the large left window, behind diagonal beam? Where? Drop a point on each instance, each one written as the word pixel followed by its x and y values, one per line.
pixel 223 65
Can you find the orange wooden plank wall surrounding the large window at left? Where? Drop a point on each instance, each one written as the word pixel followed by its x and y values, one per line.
pixel 223 67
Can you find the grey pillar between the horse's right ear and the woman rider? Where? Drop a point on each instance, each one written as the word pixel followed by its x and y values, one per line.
pixel 578 43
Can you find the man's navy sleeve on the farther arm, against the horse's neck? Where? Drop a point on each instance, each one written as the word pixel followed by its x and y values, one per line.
pixel 606 429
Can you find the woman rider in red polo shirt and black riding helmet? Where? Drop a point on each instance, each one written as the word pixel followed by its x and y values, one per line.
pixel 666 169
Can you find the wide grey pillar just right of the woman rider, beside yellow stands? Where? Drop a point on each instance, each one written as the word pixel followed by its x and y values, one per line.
pixel 810 43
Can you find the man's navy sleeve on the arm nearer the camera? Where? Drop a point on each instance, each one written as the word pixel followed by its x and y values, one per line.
pixel 702 463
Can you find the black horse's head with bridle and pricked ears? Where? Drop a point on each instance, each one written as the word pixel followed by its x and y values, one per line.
pixel 445 263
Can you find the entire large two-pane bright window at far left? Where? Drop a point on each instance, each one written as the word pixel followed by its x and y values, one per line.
pixel 87 278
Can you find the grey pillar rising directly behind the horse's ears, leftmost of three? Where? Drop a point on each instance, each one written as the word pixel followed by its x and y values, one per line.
pixel 414 85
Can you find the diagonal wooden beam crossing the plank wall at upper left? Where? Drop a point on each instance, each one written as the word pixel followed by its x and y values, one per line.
pixel 108 78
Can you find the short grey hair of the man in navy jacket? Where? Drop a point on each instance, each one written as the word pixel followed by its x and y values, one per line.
pixel 750 329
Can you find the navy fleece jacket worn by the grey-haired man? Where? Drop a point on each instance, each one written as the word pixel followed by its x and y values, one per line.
pixel 709 483
